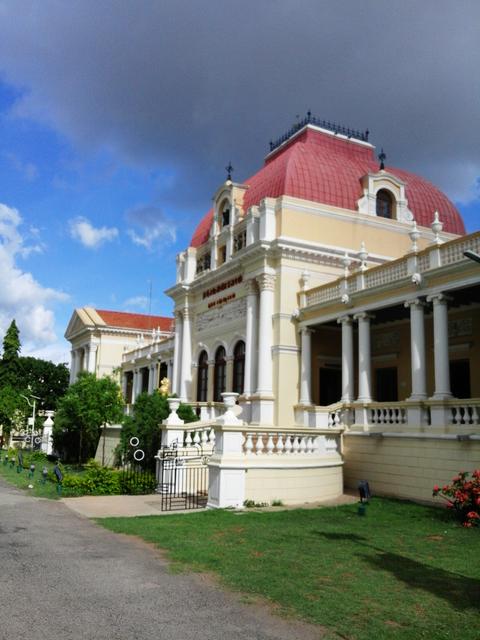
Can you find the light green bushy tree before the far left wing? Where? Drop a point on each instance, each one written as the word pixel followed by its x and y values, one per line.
pixel 86 406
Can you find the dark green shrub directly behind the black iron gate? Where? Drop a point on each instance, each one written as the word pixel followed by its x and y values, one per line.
pixel 148 413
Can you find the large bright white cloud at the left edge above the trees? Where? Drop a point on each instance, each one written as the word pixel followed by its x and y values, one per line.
pixel 22 297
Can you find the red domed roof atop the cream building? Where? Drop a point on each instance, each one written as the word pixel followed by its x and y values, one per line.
pixel 324 168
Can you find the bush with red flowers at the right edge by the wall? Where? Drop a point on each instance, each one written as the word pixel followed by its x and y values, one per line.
pixel 463 497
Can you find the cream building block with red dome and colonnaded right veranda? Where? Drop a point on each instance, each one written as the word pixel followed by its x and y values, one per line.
pixel 332 294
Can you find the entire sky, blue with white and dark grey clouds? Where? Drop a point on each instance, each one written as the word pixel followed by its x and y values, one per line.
pixel 117 120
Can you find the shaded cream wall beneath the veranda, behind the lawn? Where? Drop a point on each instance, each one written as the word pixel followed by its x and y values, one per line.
pixel 406 467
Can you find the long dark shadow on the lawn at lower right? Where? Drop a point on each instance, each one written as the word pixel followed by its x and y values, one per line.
pixel 461 592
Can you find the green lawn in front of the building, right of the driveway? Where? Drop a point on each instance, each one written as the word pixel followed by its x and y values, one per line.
pixel 402 571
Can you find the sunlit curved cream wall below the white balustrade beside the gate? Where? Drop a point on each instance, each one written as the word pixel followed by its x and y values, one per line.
pixel 294 486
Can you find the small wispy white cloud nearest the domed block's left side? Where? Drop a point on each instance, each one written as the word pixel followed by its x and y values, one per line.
pixel 152 227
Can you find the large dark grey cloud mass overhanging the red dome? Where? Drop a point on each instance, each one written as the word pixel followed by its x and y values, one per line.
pixel 190 85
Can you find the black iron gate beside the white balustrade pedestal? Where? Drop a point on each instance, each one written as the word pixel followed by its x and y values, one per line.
pixel 182 479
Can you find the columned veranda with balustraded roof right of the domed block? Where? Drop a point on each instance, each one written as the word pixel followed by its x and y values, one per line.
pixel 408 338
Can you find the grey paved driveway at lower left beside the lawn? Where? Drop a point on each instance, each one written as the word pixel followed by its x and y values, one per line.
pixel 63 577
